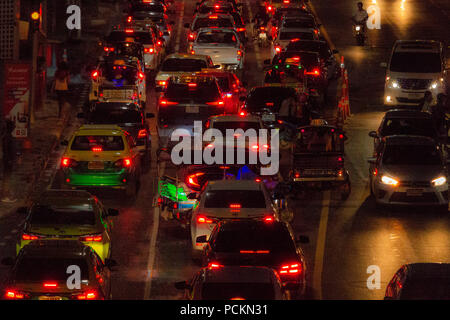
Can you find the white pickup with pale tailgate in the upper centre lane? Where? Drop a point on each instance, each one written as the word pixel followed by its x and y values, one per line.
pixel 222 45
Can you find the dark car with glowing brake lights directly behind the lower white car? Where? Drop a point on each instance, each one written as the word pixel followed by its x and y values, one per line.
pixel 258 243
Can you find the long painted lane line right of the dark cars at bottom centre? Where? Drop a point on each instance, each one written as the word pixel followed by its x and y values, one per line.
pixel 320 247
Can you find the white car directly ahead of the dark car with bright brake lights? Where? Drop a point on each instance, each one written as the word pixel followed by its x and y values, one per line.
pixel 229 199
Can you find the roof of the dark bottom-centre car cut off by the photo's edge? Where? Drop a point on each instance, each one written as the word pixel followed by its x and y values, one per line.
pixel 239 274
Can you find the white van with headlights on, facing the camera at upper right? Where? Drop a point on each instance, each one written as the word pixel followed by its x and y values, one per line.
pixel 415 66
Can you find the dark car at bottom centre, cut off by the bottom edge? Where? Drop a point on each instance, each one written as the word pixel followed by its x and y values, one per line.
pixel 234 283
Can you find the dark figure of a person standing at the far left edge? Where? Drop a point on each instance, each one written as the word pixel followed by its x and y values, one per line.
pixel 7 159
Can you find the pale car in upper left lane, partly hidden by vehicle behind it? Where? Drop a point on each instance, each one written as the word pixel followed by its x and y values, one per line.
pixel 152 51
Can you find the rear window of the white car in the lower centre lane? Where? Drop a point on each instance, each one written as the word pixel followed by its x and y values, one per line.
pixel 245 198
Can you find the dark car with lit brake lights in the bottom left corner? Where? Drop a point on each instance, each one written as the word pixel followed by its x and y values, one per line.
pixel 42 269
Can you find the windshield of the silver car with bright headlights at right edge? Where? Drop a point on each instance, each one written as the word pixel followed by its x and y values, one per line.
pixel 411 155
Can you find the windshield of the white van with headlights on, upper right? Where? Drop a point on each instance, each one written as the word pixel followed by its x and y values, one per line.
pixel 417 62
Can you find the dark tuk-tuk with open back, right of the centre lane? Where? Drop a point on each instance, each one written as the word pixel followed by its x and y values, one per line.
pixel 318 158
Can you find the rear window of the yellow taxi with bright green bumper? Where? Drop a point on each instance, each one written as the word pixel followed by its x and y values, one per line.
pixel 106 143
